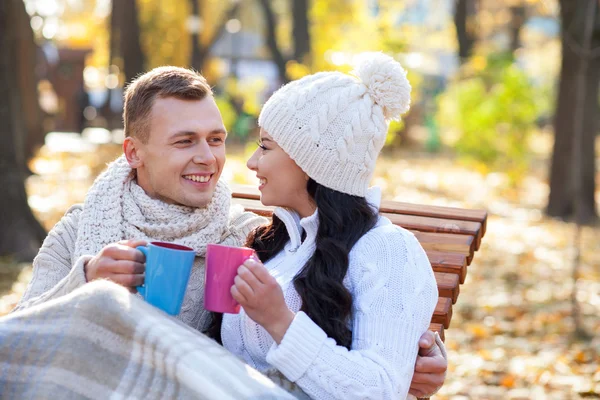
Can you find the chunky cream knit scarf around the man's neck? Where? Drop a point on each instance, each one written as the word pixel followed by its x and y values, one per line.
pixel 116 208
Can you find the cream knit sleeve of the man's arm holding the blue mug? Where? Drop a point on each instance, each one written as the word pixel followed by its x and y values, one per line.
pixel 54 273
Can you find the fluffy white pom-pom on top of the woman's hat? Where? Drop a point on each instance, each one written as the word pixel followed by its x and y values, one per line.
pixel 386 82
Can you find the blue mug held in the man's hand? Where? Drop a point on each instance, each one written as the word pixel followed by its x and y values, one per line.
pixel 168 268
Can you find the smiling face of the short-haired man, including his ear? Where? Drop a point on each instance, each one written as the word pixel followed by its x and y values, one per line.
pixel 183 158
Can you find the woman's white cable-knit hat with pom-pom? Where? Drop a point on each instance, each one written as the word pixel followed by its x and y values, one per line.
pixel 333 125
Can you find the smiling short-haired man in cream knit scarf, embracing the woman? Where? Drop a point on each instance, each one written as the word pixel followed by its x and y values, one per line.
pixel 165 187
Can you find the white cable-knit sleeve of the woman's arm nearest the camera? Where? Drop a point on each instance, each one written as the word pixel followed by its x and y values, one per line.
pixel 394 296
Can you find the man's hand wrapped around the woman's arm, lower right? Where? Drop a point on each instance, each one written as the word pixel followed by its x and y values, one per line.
pixel 430 368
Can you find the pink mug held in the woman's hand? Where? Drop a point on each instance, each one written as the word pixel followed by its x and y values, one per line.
pixel 222 263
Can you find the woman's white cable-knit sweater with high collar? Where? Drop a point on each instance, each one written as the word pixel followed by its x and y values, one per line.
pixel 394 295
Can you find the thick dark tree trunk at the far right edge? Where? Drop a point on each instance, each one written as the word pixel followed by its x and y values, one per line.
pixel 561 201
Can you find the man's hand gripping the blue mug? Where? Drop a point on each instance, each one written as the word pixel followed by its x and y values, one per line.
pixel 119 262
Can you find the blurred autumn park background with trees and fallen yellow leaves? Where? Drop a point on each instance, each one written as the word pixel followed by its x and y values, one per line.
pixel 504 117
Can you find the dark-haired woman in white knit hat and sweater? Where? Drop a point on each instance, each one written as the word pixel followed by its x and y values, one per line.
pixel 340 296
